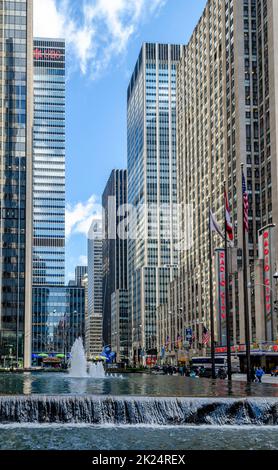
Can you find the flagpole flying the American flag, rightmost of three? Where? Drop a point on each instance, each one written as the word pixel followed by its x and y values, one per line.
pixel 245 290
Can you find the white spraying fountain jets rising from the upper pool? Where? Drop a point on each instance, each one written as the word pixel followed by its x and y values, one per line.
pixel 79 367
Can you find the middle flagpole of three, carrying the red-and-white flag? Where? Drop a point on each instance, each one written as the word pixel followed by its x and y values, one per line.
pixel 228 335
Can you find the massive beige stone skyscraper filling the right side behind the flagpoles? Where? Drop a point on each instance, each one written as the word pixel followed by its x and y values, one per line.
pixel 227 89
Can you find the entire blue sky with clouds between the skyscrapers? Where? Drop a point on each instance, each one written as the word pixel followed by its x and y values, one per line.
pixel 103 41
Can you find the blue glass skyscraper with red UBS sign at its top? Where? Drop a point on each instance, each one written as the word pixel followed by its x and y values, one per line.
pixel 49 162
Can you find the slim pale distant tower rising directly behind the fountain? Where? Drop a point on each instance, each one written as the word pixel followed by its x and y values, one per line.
pixel 93 327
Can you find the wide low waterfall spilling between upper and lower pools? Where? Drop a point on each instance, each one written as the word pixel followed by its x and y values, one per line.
pixel 138 410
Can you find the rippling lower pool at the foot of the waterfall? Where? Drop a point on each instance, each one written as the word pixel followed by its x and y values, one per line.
pixel 78 437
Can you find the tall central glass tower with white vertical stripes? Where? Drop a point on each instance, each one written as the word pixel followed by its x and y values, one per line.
pixel 152 185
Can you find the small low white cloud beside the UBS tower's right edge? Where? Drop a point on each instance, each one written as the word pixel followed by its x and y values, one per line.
pixel 79 216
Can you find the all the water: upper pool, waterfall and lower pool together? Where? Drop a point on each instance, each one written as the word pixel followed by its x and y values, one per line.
pixel 137 411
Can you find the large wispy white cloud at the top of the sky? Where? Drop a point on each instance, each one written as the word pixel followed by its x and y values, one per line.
pixel 95 33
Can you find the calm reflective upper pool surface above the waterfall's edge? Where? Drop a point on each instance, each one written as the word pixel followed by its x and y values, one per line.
pixel 130 384
